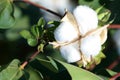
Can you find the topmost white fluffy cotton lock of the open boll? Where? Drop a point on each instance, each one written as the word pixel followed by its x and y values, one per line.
pixel 86 19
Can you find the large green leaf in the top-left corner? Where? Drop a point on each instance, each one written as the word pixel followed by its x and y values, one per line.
pixel 6 14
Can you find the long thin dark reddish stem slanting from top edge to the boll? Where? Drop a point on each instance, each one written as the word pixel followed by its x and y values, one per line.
pixel 41 7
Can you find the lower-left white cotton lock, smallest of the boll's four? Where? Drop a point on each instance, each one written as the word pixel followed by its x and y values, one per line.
pixel 71 52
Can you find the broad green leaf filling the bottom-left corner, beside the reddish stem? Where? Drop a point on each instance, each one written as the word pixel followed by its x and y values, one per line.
pixel 12 72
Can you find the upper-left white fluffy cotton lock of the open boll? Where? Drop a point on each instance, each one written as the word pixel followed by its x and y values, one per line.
pixel 65 32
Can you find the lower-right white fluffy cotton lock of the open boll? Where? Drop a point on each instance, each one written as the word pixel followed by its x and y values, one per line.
pixel 90 46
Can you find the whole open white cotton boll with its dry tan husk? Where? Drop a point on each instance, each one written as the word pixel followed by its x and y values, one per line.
pixel 79 37
